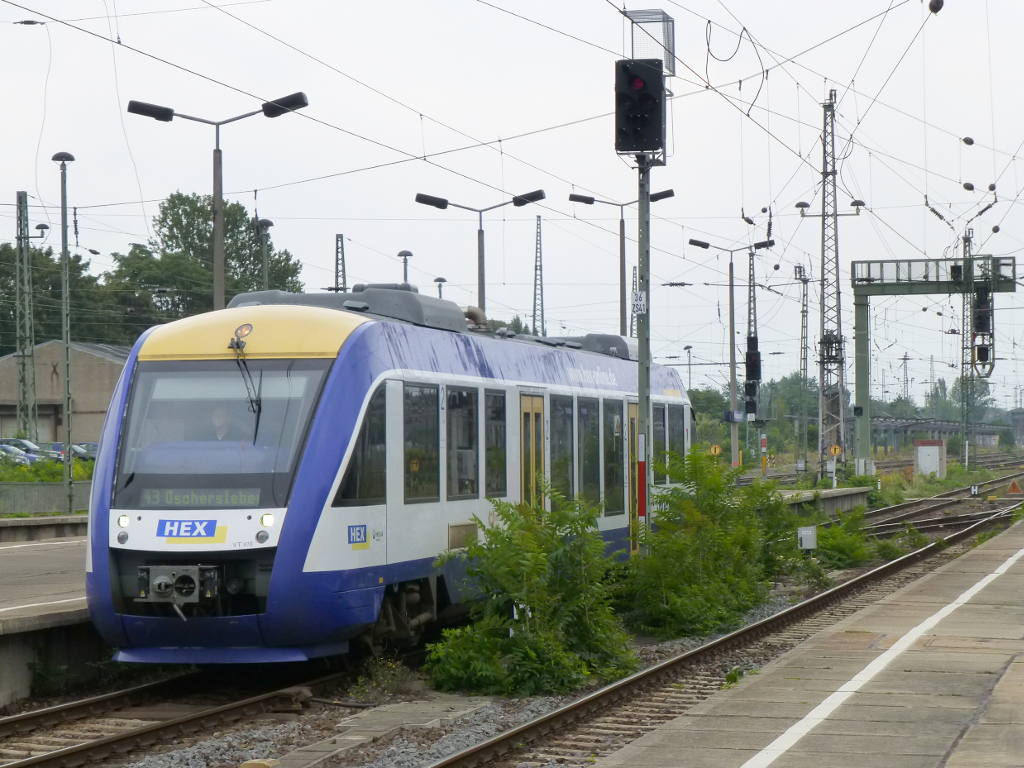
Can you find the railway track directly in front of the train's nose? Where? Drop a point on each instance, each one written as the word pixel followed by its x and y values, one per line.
pixel 96 731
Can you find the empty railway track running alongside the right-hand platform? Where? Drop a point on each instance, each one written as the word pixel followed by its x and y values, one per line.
pixel 608 719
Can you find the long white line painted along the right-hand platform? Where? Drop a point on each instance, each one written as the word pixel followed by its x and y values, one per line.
pixel 821 713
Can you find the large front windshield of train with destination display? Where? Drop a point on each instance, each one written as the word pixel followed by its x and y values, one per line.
pixel 216 435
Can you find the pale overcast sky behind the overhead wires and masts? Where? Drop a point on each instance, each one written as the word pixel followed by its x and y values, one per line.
pixel 390 83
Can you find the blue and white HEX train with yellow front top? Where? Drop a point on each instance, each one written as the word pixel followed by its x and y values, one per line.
pixel 277 480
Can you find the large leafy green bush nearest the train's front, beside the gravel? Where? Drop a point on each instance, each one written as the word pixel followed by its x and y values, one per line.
pixel 546 623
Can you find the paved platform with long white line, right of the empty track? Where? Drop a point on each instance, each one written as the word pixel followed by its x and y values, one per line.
pixel 931 676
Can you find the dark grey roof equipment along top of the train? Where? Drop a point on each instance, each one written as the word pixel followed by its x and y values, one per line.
pixel 403 303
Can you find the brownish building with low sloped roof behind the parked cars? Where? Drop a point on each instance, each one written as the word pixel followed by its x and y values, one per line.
pixel 96 369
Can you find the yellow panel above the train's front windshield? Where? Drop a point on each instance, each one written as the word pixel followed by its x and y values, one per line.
pixel 277 331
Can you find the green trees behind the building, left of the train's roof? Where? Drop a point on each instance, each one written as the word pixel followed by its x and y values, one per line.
pixel 169 278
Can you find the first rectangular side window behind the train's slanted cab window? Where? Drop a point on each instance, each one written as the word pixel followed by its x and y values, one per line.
pixel 422 443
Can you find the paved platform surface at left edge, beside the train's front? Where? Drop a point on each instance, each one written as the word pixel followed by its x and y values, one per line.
pixel 42 585
